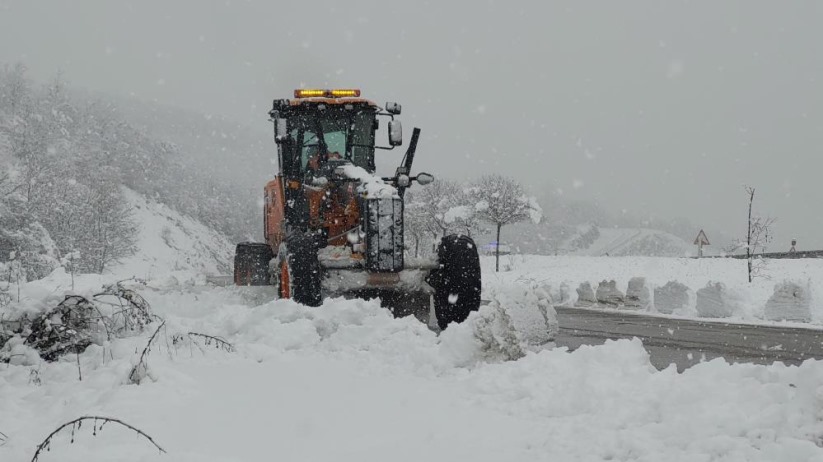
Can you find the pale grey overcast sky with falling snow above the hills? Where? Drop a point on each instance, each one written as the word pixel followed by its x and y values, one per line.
pixel 664 108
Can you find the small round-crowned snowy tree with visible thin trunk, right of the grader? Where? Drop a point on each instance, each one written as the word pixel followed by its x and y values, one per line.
pixel 500 201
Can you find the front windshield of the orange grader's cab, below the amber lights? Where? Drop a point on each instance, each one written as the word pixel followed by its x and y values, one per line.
pixel 338 135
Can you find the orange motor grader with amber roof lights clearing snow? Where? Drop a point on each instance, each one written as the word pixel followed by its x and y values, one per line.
pixel 333 227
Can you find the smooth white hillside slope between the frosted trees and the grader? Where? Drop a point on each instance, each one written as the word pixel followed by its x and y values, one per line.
pixel 169 241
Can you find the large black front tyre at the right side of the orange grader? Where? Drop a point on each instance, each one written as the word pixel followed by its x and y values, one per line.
pixel 457 282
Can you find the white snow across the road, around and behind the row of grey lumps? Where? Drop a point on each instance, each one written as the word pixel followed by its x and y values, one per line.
pixel 746 302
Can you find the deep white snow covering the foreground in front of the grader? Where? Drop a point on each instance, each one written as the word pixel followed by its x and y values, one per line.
pixel 346 381
